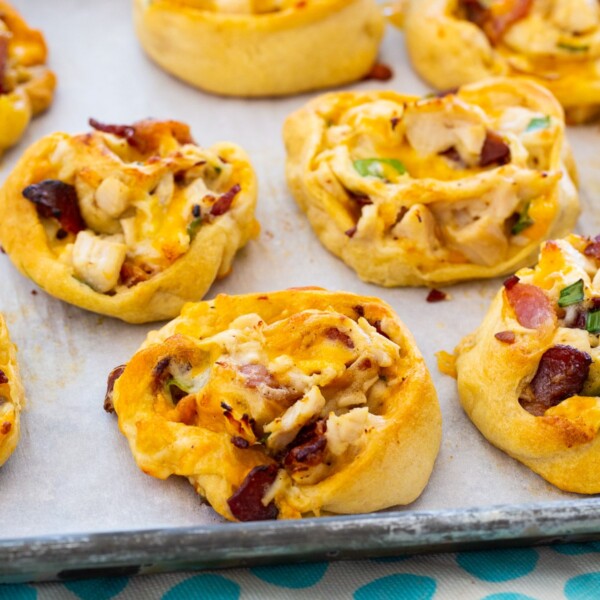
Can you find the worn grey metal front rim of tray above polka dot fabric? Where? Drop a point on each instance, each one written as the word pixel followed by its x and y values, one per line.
pixel 208 547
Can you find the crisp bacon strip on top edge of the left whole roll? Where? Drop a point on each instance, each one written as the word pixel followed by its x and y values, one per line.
pixel 146 135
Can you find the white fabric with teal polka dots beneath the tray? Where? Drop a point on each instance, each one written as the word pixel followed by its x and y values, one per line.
pixel 565 572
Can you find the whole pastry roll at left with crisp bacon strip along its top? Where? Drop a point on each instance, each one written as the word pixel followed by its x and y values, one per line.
pixel 128 221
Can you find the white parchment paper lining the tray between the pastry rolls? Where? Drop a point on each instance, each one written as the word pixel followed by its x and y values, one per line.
pixel 72 472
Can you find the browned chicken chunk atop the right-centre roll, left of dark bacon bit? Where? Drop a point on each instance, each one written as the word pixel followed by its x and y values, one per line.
pixel 434 130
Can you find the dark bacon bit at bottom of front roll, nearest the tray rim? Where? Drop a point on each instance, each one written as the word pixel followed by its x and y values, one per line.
pixel 246 503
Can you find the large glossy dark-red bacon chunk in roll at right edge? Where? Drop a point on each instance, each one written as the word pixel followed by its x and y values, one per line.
pixel 561 374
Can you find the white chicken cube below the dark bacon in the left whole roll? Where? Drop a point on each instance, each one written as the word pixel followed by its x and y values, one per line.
pixel 98 260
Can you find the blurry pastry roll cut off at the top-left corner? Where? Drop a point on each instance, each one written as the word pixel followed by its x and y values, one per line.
pixel 26 84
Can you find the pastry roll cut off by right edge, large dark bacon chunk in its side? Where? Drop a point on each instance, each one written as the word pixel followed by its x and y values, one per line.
pixel 529 376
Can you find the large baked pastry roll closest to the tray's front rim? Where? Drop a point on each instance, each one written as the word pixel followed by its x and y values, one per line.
pixel 283 404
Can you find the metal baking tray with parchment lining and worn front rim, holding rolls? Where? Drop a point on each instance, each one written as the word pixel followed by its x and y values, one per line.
pixel 75 504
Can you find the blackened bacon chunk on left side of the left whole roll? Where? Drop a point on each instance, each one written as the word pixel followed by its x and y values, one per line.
pixel 58 200
